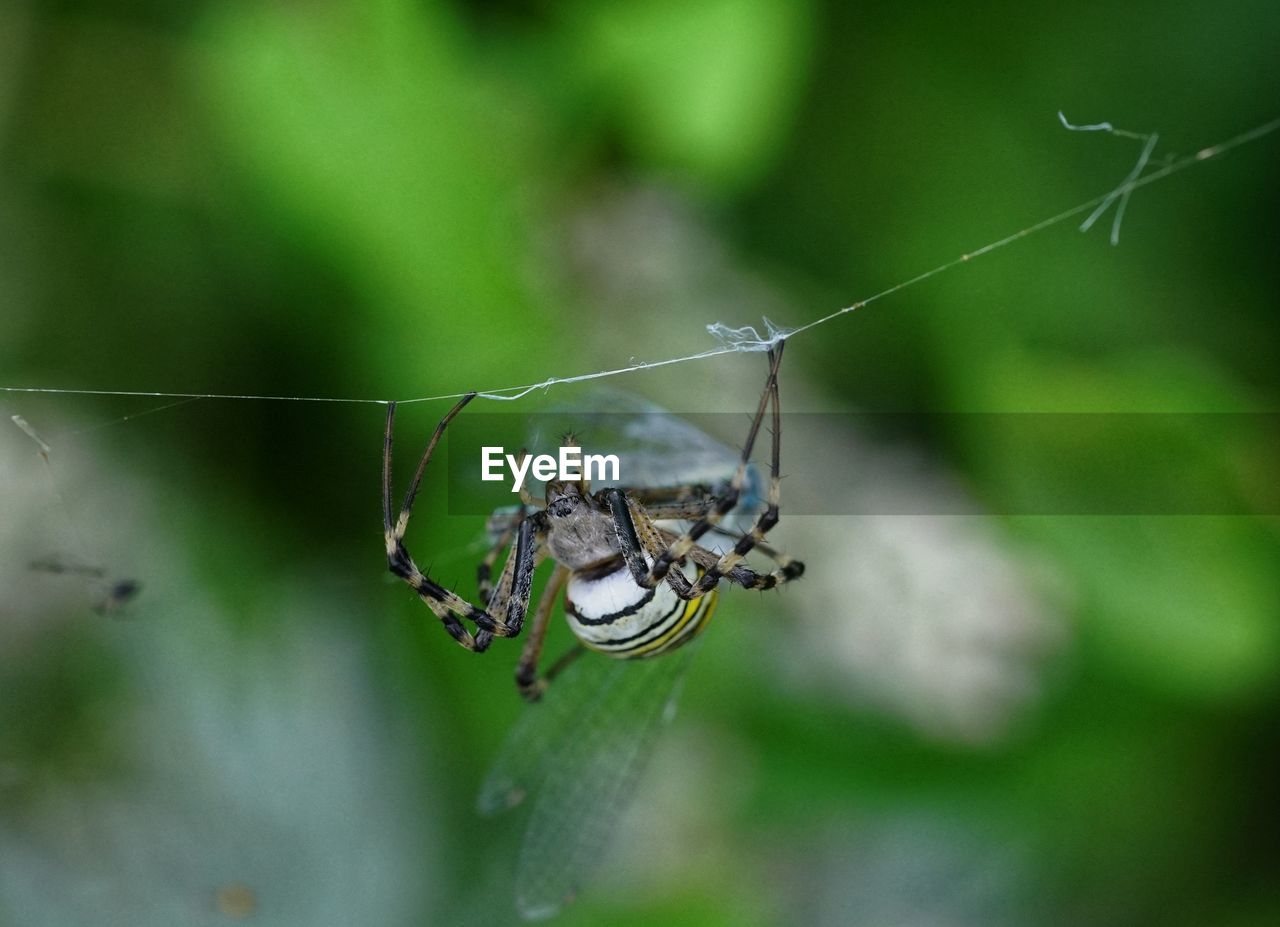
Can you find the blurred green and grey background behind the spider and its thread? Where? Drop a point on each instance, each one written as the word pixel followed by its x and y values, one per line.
pixel 949 721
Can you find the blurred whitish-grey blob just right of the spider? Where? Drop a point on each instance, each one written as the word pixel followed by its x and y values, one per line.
pixel 918 609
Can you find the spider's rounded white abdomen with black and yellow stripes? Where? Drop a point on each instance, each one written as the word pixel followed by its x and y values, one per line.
pixel 615 615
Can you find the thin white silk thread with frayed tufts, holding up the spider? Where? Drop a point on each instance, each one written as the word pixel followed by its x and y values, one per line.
pixel 748 339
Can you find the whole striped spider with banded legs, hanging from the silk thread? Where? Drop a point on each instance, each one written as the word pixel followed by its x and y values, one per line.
pixel 633 588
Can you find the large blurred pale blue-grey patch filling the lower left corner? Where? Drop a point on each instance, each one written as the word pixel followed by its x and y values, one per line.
pixel 225 775
